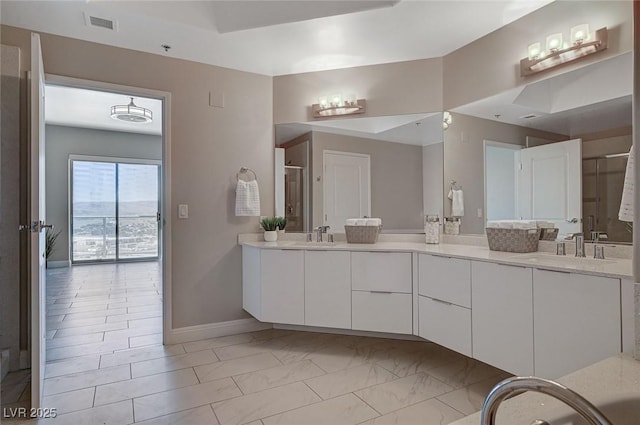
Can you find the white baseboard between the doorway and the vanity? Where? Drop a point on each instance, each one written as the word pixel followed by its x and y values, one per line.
pixel 213 330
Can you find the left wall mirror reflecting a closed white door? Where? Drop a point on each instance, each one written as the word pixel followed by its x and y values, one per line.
pixel 390 167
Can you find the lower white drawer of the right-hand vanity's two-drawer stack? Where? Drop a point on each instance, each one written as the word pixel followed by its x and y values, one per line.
pixel 445 324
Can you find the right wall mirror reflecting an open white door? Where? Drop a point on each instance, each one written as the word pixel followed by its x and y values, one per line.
pixel 555 150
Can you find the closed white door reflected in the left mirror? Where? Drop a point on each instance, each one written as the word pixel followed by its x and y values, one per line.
pixel 347 188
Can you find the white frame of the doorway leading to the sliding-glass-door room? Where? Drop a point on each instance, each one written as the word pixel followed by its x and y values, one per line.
pixel 165 179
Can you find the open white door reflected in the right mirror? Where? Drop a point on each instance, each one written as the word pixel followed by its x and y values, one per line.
pixel 550 184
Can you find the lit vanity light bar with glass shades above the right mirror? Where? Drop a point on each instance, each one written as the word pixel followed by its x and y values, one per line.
pixel 557 53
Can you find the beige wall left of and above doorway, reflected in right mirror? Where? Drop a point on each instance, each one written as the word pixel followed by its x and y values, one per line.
pixel 464 160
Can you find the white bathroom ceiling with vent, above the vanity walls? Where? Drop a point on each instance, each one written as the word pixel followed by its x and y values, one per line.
pixel 408 30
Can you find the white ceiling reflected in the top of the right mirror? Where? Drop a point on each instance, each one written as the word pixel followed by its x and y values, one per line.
pixel 593 98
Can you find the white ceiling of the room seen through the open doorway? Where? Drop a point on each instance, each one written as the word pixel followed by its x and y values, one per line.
pixel 74 107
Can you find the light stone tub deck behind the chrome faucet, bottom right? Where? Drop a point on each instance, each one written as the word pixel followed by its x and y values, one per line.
pixel 615 378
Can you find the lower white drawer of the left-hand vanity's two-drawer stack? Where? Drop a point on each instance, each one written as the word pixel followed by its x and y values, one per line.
pixel 382 312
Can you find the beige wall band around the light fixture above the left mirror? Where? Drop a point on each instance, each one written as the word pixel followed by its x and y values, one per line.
pixel 390 89
